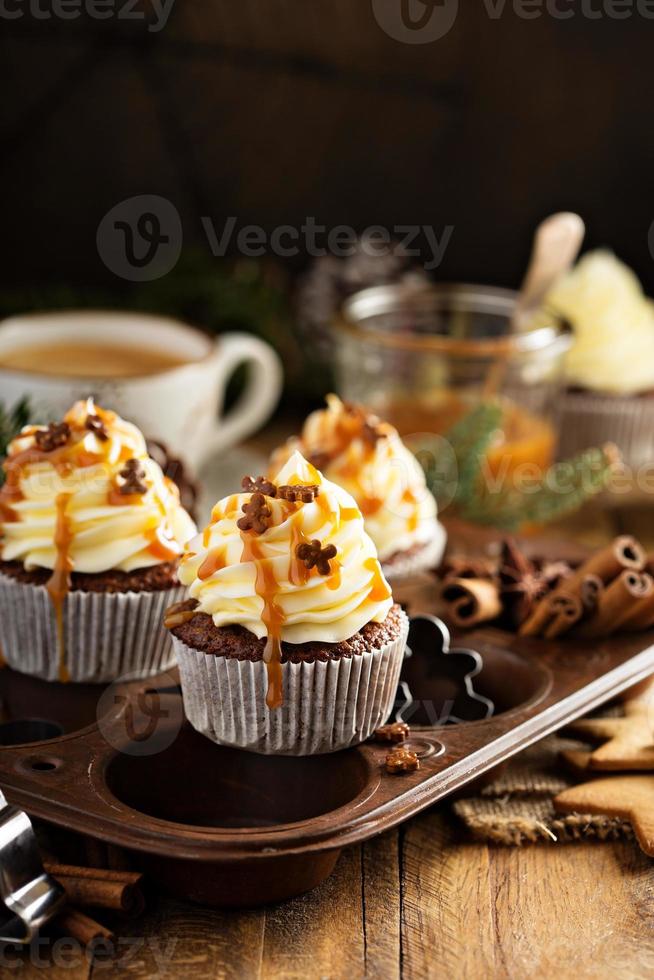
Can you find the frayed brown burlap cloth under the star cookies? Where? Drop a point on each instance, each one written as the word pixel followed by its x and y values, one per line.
pixel 516 807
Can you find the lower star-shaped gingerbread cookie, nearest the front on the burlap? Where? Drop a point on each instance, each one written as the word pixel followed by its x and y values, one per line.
pixel 628 797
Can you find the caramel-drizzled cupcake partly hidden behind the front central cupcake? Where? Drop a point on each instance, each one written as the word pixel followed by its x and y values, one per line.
pixel 366 457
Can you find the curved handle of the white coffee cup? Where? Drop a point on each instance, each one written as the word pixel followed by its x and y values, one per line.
pixel 260 396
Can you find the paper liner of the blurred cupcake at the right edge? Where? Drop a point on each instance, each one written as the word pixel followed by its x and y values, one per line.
pixel 591 420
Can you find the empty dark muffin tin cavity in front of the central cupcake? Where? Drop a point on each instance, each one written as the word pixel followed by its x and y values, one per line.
pixel 196 782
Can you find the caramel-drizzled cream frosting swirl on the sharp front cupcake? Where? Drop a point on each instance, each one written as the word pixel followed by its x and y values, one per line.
pixel 292 565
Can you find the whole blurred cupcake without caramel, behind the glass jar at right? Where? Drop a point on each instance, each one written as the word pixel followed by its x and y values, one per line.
pixel 610 367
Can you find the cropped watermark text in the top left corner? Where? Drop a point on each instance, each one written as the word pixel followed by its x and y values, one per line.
pixel 155 18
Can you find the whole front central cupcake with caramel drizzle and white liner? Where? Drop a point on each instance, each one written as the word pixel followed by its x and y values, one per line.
pixel 289 642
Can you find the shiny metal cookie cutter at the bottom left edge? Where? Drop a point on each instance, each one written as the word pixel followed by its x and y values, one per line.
pixel 28 896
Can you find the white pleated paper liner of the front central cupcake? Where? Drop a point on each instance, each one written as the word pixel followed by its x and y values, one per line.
pixel 327 706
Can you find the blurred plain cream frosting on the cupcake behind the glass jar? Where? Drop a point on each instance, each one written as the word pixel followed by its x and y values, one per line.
pixel 613 323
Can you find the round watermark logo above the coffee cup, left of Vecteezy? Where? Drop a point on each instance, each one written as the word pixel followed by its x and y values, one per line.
pixel 140 239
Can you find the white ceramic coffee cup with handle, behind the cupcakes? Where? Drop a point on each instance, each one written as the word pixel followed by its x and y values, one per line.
pixel 181 406
